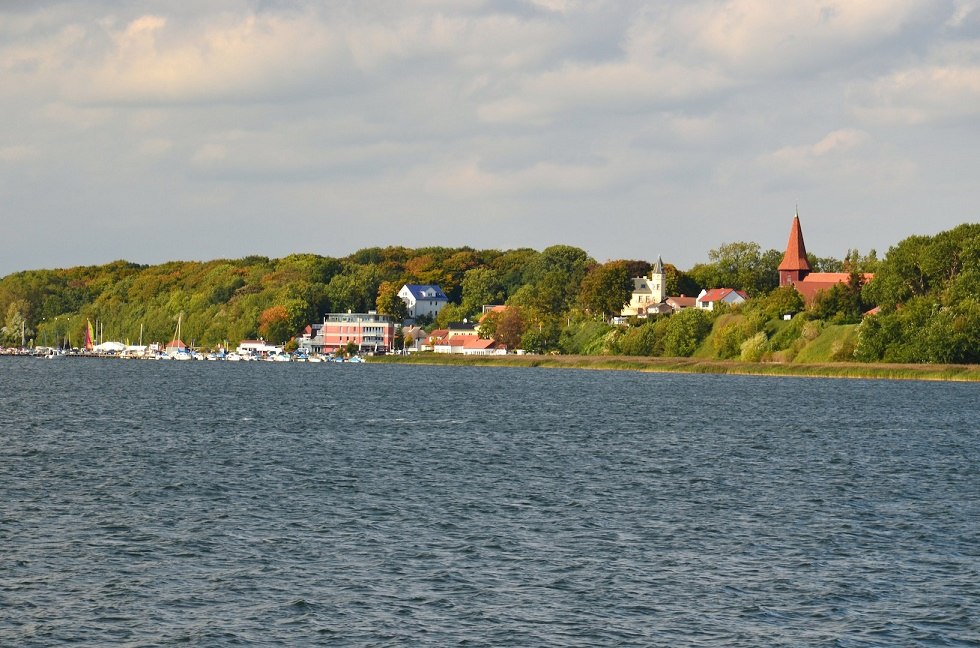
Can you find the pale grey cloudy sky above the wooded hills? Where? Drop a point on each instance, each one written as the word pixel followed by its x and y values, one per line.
pixel 156 130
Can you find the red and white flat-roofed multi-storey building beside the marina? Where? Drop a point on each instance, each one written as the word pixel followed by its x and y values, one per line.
pixel 372 333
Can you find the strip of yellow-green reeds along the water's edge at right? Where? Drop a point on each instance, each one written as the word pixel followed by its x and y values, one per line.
pixel 852 370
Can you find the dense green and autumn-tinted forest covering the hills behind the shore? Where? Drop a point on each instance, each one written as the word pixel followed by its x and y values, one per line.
pixel 926 290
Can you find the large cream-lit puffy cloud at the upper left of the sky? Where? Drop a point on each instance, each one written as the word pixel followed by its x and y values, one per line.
pixel 153 60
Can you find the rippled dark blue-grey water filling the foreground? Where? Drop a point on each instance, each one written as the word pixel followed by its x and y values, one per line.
pixel 215 504
